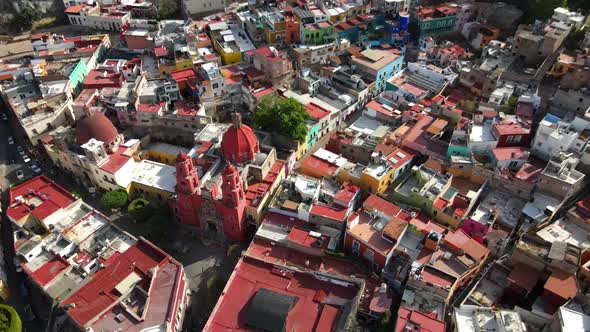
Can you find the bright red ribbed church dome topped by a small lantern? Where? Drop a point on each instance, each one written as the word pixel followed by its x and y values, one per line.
pixel 239 143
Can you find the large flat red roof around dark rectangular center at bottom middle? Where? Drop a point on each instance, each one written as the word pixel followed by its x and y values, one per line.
pixel 312 305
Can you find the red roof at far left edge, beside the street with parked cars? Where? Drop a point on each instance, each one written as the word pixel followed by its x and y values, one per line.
pixel 52 198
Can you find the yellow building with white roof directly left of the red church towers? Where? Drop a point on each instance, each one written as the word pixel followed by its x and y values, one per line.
pixel 152 181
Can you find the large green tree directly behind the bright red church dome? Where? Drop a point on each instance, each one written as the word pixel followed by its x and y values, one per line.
pixel 287 117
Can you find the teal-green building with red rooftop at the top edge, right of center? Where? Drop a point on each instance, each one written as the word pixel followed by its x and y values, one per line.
pixel 429 21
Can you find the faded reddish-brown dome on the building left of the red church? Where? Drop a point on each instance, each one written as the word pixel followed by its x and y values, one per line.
pixel 96 126
